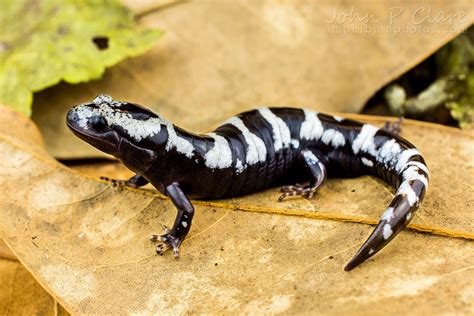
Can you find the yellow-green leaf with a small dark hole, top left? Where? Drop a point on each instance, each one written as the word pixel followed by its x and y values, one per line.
pixel 44 42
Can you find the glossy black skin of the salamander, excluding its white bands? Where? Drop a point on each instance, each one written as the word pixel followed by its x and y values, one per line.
pixel 180 177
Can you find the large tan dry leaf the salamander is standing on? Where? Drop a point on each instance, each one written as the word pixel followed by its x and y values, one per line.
pixel 86 242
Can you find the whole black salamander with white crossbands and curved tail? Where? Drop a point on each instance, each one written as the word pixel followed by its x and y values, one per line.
pixel 250 152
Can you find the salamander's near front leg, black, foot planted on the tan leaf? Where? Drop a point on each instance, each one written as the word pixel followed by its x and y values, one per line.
pixel 182 224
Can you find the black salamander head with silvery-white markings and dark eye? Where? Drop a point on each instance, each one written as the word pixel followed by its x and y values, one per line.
pixel 105 124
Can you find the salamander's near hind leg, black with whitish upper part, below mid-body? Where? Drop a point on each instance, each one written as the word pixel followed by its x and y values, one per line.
pixel 318 175
